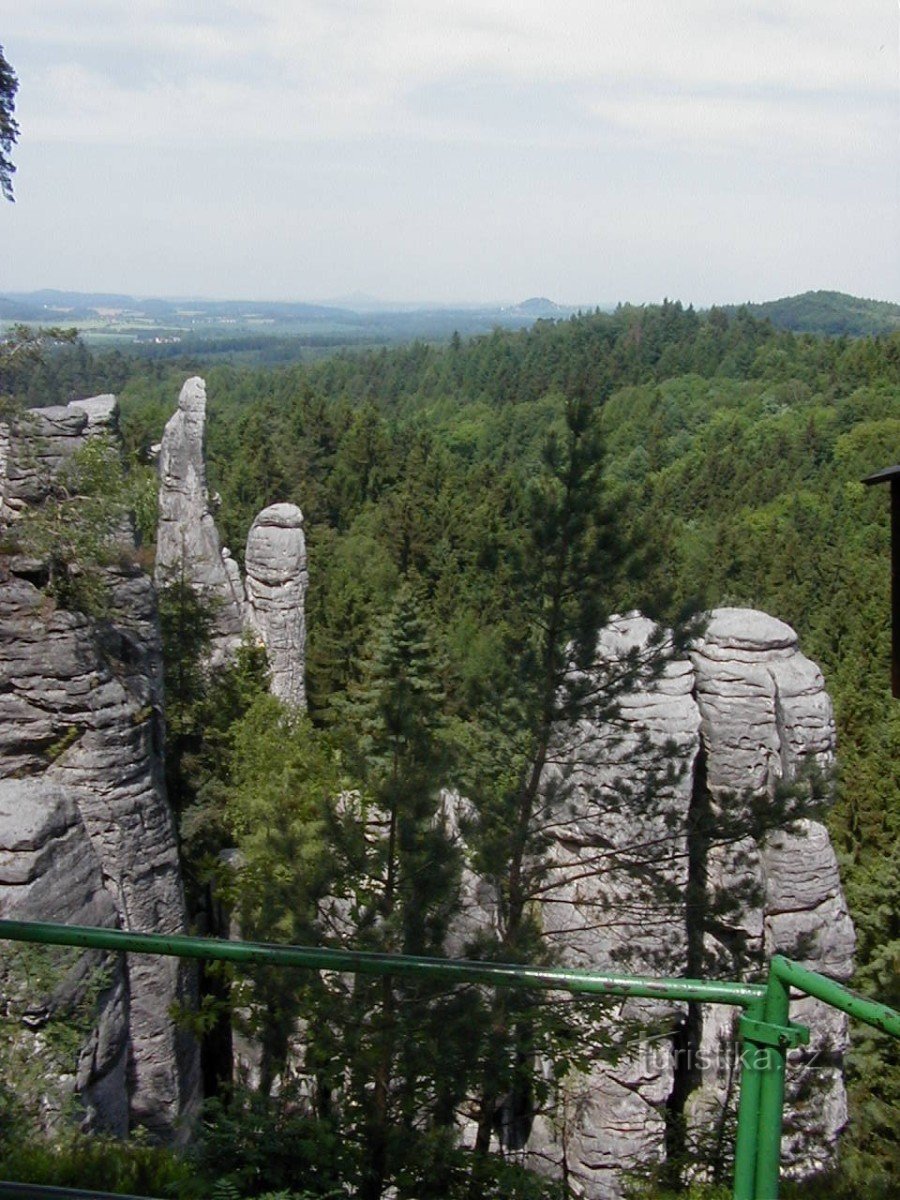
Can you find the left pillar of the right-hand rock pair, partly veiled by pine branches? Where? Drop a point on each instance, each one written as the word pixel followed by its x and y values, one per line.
pixel 616 901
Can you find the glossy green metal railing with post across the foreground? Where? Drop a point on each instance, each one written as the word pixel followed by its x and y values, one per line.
pixel 765 1029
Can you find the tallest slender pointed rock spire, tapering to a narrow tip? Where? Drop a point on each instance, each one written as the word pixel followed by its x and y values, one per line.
pixel 188 544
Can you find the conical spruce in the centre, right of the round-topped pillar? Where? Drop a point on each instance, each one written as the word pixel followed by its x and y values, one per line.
pixel 407 892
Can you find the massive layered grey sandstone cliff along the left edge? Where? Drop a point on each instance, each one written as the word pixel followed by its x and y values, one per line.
pixel 86 829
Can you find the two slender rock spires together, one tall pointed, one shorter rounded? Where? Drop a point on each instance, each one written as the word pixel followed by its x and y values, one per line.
pixel 271 604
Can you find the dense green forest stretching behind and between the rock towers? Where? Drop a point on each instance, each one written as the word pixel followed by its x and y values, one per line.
pixel 473 512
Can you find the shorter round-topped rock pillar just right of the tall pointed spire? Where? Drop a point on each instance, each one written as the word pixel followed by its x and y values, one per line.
pixel 277 590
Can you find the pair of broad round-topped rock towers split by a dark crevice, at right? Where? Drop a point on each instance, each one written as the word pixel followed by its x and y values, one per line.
pixel 698 747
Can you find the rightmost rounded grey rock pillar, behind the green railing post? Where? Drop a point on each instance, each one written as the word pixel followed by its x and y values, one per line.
pixel 767 718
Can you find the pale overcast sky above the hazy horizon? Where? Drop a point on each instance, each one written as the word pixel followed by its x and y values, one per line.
pixel 446 151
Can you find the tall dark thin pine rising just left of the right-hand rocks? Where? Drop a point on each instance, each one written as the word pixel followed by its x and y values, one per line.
pixel 573 566
